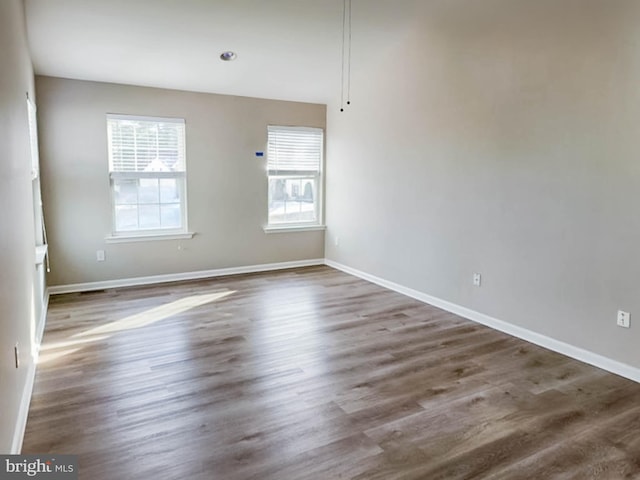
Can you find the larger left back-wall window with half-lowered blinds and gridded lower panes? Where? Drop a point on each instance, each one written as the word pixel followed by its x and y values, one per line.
pixel 147 172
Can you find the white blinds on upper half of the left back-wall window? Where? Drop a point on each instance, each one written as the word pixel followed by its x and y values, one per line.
pixel 139 144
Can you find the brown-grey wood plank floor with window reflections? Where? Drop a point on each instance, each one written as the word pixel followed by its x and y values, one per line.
pixel 314 374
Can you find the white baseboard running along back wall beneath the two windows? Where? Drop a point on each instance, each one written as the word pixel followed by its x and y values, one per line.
pixel 174 277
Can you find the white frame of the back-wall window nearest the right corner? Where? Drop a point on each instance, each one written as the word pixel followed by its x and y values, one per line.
pixel 315 175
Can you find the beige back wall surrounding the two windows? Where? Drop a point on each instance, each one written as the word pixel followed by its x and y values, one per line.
pixel 227 186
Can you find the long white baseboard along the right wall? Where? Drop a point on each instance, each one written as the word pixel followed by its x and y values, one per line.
pixel 558 346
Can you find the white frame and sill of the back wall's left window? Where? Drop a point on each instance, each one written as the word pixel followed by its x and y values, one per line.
pixel 179 176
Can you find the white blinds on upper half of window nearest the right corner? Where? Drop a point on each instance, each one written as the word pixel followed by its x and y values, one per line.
pixel 294 150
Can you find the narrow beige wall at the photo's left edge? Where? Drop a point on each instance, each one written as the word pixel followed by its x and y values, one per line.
pixel 17 255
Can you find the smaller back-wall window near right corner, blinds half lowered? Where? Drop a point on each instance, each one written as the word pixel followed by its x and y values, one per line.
pixel 294 158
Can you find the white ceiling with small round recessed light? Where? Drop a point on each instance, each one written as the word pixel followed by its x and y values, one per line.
pixel 287 49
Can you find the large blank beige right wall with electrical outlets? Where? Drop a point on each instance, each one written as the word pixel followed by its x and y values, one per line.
pixel 501 137
